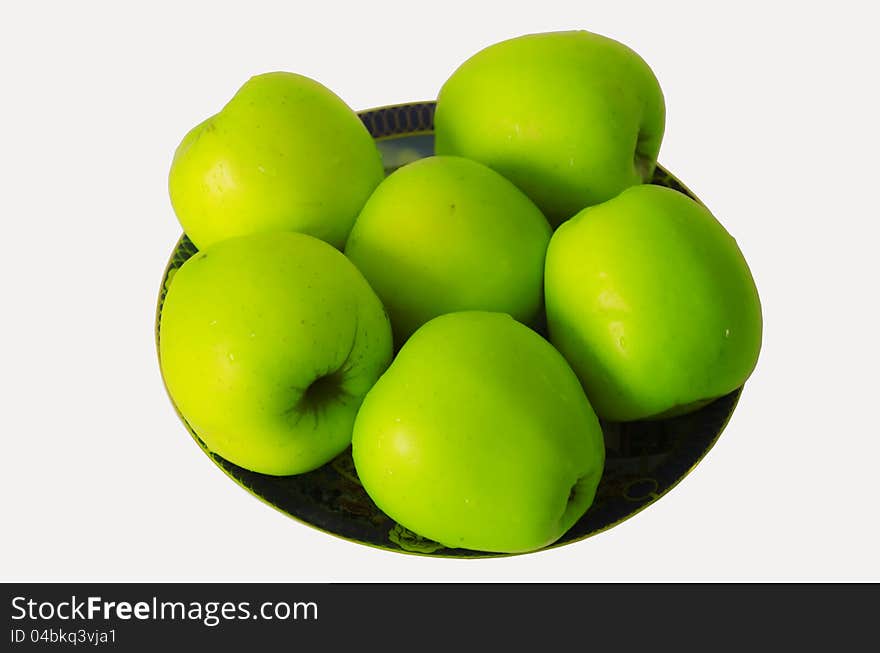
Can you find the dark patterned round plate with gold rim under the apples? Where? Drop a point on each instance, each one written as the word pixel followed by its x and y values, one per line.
pixel 644 459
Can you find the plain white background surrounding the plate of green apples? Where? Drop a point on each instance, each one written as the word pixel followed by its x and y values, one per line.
pixel 772 120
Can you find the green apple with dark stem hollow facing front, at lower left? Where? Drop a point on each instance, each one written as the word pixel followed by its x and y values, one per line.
pixel 268 343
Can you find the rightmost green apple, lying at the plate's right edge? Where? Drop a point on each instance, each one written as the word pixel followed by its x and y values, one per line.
pixel 652 303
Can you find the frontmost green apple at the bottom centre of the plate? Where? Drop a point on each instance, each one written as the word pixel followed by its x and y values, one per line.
pixel 479 436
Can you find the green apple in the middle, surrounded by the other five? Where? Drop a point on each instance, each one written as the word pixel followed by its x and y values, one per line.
pixel 446 234
